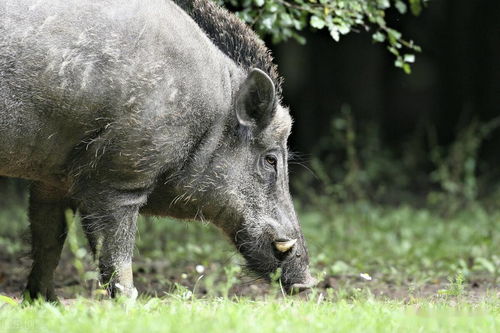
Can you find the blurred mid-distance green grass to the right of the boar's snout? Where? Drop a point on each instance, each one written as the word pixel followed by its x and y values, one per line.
pixel 403 243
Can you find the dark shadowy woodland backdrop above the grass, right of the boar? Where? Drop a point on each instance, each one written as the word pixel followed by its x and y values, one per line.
pixel 391 136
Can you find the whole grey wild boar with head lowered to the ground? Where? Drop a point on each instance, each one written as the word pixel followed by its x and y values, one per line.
pixel 115 107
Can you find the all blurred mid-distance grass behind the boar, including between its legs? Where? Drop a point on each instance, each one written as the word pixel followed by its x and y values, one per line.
pixel 403 246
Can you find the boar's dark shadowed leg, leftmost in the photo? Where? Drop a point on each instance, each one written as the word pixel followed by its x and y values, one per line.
pixel 48 232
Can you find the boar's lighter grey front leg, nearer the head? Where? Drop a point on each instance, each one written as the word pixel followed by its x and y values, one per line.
pixel 109 219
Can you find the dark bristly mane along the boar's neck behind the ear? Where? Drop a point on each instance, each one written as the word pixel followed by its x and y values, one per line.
pixel 232 36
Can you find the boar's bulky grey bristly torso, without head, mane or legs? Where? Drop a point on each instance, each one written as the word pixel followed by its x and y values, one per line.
pixel 131 76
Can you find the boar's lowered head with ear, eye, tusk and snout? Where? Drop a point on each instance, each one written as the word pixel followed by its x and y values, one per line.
pixel 257 212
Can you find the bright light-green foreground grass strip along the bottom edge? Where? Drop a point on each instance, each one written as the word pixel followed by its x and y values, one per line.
pixel 222 315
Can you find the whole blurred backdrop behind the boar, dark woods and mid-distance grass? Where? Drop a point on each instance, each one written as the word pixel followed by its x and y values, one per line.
pixel 395 176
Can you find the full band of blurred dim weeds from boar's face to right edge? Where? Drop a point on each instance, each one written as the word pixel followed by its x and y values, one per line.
pixel 350 163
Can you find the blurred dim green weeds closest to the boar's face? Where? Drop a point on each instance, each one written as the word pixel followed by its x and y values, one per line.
pixel 351 164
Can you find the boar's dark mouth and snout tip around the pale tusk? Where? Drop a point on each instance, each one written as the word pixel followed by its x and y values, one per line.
pixel 263 260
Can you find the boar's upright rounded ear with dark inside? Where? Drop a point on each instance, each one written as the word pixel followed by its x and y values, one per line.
pixel 255 101
